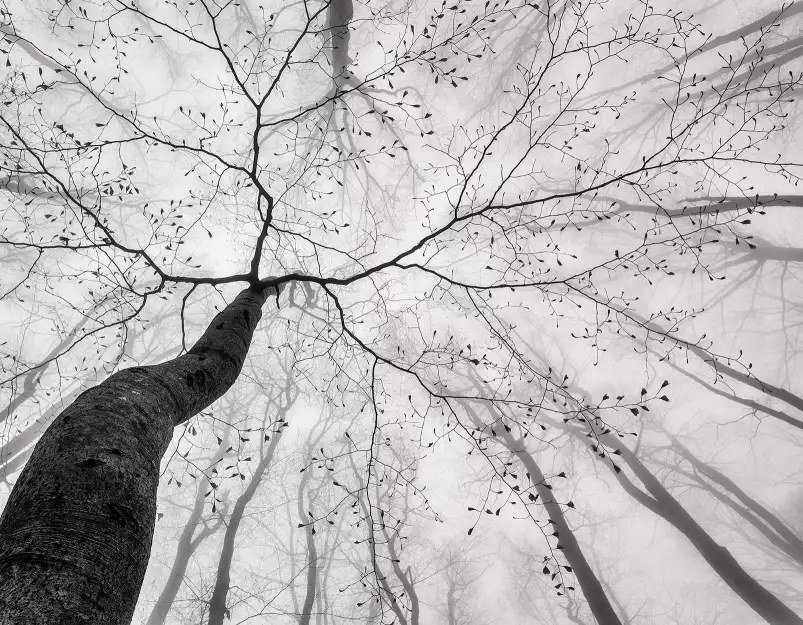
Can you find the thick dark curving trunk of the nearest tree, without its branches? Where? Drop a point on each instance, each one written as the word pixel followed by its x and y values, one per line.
pixel 76 533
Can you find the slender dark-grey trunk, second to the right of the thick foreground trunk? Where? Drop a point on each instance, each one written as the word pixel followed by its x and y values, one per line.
pixel 217 604
